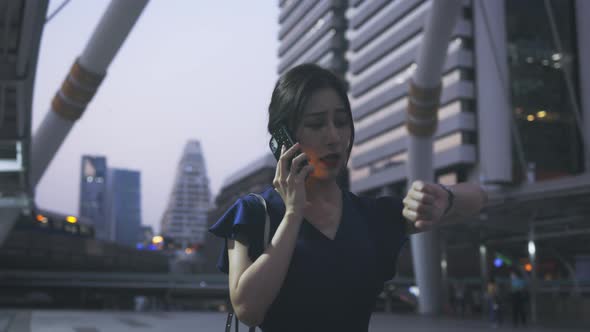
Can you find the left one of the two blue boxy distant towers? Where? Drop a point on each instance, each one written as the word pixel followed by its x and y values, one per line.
pixel 92 203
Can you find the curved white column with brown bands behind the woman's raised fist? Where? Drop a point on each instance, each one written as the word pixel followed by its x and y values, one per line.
pixel 421 123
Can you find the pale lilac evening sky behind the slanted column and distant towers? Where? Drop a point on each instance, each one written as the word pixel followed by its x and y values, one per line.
pixel 188 70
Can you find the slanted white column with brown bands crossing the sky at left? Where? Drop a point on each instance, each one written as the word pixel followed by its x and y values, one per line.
pixel 82 82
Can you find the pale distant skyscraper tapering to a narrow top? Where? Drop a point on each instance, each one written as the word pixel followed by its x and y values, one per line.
pixel 185 219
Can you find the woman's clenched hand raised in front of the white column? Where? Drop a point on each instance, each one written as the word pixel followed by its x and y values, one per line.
pixel 425 204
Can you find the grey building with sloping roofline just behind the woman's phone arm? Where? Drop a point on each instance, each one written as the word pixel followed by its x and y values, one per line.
pixel 252 178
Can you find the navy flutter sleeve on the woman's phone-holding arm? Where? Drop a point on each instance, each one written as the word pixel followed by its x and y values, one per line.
pixel 245 217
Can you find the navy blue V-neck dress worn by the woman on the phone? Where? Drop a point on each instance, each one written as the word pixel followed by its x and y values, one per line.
pixel 331 285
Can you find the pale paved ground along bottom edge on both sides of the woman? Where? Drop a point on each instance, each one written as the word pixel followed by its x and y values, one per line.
pixel 89 321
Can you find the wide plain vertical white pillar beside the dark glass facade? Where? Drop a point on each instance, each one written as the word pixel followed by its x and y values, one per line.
pixel 494 115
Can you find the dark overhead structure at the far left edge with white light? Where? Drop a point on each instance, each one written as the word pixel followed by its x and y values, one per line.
pixel 22 23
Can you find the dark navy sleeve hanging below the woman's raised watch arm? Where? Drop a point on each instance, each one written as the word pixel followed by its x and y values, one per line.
pixel 391 232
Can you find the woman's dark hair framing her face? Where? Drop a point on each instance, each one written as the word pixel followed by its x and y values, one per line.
pixel 293 91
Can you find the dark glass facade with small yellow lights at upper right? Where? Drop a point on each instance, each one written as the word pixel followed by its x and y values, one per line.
pixel 543 111
